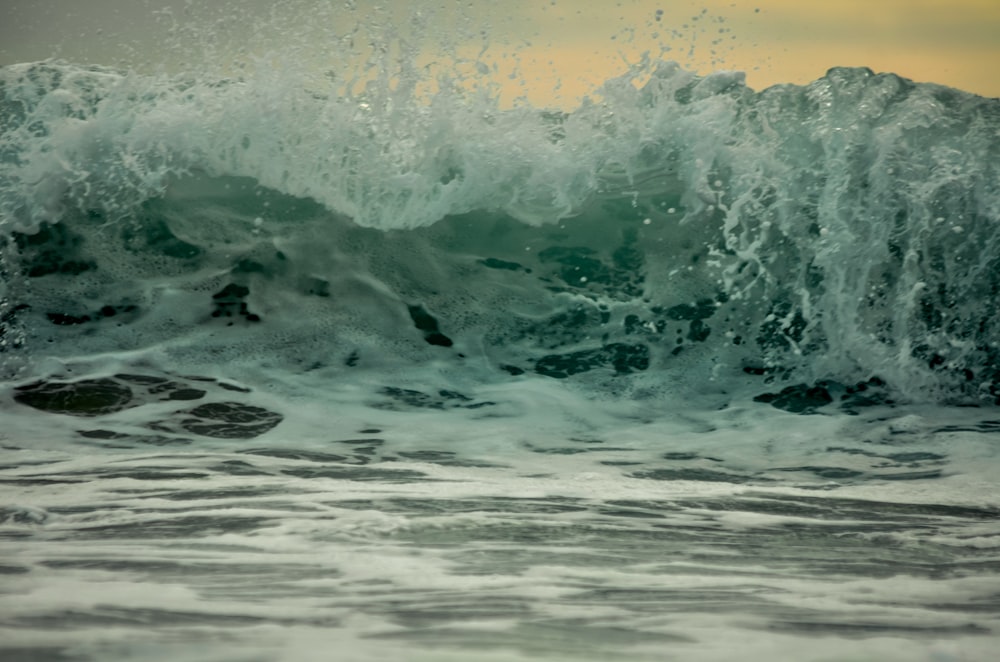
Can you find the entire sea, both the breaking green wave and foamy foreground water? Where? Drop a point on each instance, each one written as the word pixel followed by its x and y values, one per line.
pixel 691 372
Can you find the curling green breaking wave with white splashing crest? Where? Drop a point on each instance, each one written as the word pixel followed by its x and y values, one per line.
pixel 672 228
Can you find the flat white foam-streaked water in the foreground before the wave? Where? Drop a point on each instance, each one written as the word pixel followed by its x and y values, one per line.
pixel 542 531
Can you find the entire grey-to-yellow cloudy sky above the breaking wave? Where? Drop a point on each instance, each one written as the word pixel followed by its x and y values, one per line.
pixel 552 51
